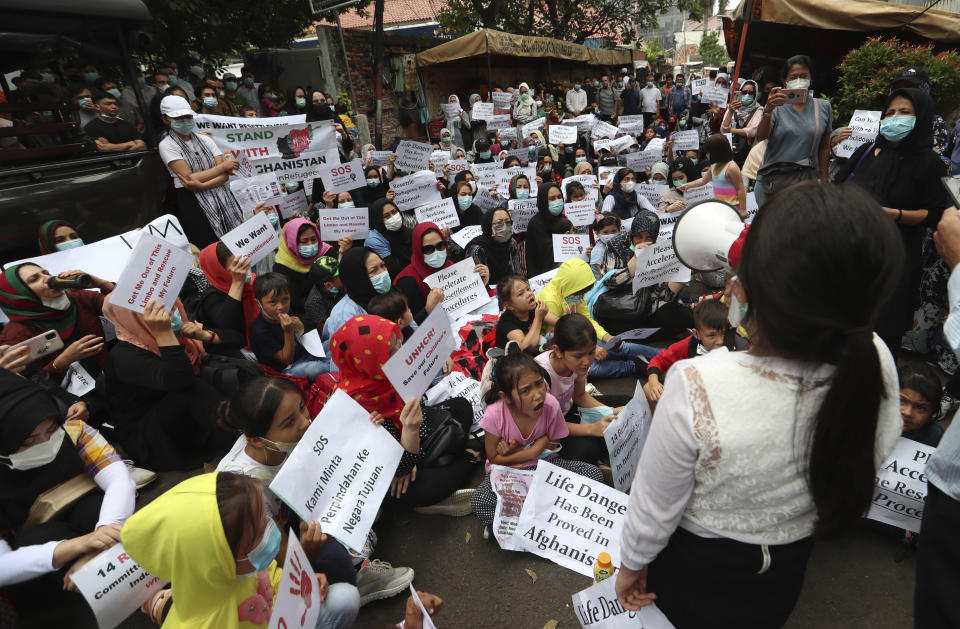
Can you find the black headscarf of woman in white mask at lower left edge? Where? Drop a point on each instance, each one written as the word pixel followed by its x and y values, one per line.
pixel 23 406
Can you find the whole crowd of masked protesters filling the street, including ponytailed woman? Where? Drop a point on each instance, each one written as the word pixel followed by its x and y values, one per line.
pixel 778 384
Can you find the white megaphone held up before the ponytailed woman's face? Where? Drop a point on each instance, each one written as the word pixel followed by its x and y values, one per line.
pixel 703 235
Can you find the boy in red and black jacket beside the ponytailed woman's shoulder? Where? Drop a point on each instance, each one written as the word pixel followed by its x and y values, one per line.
pixel 711 331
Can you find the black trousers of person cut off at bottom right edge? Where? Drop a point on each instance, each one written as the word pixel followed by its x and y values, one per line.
pixel 938 563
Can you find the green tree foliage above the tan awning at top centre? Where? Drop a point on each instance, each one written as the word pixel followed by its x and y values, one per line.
pixel 570 20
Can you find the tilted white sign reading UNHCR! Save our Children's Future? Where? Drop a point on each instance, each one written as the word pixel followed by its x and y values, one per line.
pixel 411 369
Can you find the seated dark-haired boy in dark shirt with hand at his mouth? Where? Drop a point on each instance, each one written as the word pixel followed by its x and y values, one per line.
pixel 273 334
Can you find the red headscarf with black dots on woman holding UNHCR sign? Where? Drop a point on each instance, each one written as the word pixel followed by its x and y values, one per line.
pixel 359 349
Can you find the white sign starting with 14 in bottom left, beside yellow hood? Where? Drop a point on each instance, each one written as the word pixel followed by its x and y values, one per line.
pixel 114 585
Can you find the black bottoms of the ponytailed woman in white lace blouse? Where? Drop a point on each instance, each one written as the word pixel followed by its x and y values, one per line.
pixel 718 582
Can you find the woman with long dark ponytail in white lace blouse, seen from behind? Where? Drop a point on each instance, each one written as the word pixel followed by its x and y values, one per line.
pixel 752 454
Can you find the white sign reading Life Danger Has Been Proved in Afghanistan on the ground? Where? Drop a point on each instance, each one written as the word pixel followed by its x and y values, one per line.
pixel 570 519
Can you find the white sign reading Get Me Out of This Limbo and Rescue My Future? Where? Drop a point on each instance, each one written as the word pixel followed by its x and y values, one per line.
pixel 155 270
